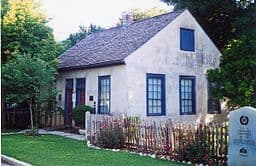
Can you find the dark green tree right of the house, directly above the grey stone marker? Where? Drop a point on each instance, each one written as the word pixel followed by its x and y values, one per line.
pixel 236 77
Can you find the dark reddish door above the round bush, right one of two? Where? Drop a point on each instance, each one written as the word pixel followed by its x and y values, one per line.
pixel 80 91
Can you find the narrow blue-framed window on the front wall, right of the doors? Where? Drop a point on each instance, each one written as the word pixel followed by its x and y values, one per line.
pixel 104 95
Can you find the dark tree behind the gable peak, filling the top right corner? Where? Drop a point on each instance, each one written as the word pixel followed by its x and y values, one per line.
pixel 222 20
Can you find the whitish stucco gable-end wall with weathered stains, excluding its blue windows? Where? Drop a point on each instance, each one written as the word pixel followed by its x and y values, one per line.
pixel 162 55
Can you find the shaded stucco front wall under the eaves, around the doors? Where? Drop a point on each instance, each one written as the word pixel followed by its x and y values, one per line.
pixel 118 97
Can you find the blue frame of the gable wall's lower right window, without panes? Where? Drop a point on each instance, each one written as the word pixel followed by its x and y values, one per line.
pixel 193 91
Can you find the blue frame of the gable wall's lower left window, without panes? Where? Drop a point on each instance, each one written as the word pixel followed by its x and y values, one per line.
pixel 163 94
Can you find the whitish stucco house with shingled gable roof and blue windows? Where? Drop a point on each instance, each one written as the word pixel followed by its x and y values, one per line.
pixel 153 68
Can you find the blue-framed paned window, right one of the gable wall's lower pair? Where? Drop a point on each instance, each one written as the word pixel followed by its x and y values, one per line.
pixel 187 95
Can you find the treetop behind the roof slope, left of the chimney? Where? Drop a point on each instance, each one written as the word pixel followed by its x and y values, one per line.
pixel 74 38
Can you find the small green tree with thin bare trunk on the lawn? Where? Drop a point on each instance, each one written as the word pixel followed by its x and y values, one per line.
pixel 25 79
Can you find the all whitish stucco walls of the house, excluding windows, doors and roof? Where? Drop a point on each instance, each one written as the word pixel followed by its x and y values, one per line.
pixel 160 55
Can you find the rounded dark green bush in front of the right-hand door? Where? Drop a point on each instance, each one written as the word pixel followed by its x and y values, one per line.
pixel 78 114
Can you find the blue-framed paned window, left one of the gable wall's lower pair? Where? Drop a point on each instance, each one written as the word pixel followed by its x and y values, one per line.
pixel 155 94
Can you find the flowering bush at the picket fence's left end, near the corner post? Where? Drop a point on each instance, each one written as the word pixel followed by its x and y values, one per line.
pixel 111 136
